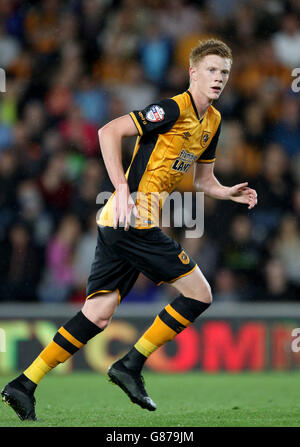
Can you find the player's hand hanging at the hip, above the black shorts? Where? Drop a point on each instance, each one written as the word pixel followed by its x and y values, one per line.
pixel 124 207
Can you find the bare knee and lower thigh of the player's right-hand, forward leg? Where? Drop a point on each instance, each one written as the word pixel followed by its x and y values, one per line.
pixel 194 285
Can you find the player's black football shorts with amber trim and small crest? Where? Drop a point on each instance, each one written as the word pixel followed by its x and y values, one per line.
pixel 121 255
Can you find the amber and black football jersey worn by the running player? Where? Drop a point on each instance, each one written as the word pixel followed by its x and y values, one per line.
pixel 171 138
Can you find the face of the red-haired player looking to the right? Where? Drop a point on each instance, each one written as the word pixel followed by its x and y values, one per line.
pixel 211 75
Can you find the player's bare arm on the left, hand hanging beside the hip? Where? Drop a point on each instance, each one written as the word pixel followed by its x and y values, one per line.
pixel 110 139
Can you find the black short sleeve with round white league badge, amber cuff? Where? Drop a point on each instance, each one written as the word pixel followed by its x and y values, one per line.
pixel 156 118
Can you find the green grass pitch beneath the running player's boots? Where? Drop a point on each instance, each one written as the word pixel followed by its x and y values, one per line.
pixel 85 399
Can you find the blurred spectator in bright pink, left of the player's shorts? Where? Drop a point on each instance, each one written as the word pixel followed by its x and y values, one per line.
pixel 60 274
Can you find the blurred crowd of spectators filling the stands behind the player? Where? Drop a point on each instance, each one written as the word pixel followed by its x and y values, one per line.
pixel 71 66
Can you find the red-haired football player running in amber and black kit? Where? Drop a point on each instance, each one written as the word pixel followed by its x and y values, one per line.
pixel 172 134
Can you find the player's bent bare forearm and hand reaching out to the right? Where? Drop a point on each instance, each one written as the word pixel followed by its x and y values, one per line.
pixel 205 181
